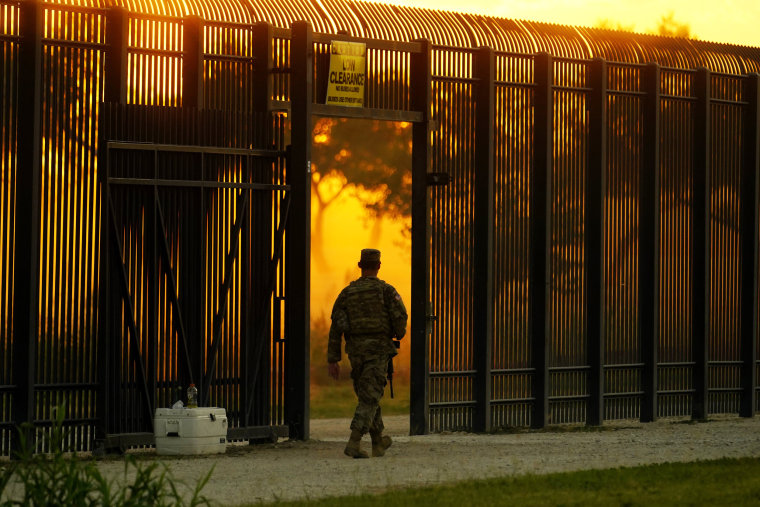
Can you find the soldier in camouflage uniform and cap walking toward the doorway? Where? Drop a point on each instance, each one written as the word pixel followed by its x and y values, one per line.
pixel 370 314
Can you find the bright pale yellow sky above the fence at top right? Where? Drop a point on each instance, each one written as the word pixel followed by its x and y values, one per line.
pixel 728 21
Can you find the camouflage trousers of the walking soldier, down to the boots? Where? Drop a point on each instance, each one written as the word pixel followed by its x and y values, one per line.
pixel 369 376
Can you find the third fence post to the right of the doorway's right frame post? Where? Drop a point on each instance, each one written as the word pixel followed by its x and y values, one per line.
pixel 594 227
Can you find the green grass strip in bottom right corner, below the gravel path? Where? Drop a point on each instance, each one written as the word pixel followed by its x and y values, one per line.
pixel 733 482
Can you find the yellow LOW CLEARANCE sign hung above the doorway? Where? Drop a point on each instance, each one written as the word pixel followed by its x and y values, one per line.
pixel 345 84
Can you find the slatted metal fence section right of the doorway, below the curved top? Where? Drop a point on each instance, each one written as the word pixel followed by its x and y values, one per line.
pixel 614 244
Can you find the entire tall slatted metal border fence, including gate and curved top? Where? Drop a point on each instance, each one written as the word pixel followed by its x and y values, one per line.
pixel 584 216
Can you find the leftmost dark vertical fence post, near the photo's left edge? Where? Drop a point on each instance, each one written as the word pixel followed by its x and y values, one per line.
pixel 27 217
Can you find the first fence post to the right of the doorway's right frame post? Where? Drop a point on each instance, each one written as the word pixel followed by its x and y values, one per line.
pixel 483 324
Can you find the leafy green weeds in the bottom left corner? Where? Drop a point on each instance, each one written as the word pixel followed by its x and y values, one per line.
pixel 62 478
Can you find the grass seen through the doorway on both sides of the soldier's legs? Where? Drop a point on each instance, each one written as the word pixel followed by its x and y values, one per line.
pixel 337 399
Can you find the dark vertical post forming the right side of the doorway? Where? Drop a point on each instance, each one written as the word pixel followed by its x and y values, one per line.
pixel 420 100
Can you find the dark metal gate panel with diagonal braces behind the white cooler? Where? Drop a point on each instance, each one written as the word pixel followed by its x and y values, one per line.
pixel 194 207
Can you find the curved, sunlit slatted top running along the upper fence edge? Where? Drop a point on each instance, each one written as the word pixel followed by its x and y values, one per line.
pixel 398 23
